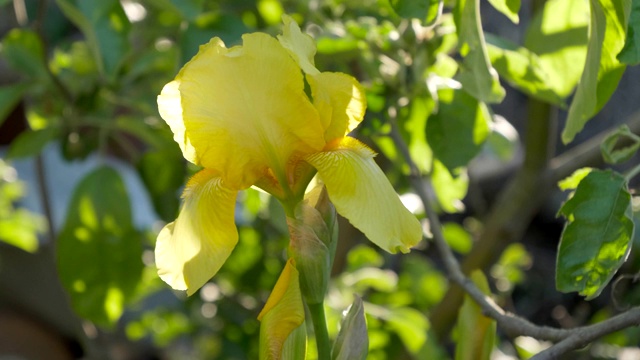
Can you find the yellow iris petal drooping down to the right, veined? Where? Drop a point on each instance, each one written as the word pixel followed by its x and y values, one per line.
pixel 361 193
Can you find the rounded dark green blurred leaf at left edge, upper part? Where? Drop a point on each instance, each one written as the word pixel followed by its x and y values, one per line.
pixel 24 52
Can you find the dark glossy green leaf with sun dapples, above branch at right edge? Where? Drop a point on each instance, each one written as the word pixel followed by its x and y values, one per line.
pixel 597 235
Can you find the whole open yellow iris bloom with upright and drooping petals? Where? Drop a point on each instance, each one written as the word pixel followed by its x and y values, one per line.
pixel 242 113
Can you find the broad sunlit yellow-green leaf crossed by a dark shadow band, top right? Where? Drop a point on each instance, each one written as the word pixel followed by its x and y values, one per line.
pixel 558 34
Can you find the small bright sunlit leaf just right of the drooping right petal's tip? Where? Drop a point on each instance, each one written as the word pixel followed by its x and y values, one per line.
pixel 449 189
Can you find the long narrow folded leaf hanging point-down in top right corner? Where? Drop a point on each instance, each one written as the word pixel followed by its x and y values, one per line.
pixel 602 70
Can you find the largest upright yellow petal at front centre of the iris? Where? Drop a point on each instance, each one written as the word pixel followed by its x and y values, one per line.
pixel 245 109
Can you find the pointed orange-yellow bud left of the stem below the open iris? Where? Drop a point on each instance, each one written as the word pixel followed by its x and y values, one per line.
pixel 282 314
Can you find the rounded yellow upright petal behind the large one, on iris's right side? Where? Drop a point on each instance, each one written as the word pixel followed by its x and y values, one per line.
pixel 340 101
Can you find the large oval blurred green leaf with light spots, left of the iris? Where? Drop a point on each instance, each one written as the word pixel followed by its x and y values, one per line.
pixel 99 251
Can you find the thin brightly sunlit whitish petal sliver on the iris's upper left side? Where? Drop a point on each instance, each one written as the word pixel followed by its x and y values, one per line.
pixel 170 110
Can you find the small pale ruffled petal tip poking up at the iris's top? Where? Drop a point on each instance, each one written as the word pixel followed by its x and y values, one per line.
pixel 300 45
